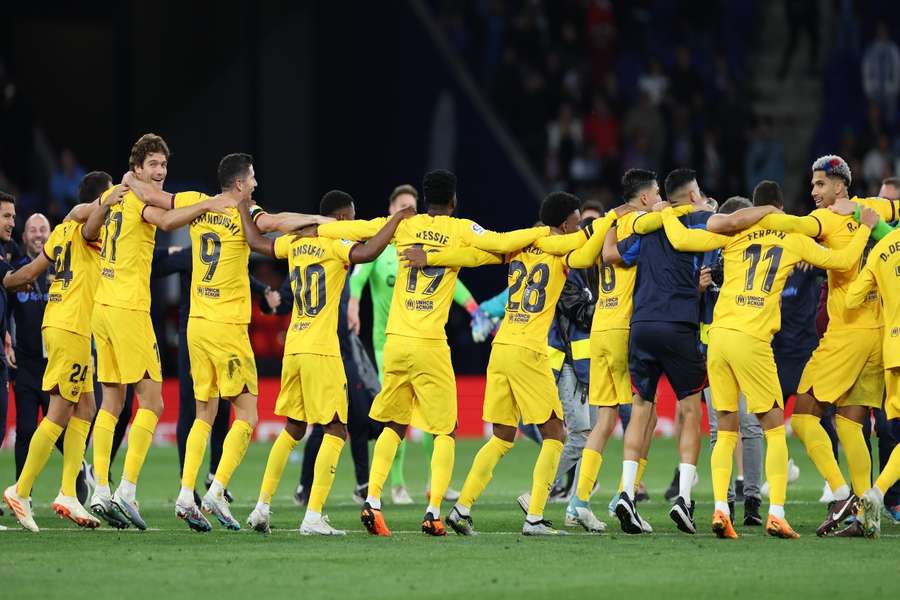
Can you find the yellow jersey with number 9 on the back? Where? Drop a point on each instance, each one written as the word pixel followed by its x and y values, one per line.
pixel 220 282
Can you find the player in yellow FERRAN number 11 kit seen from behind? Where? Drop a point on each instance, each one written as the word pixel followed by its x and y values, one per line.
pixel 757 261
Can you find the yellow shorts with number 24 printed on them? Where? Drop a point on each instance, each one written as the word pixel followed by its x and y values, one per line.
pixel 70 367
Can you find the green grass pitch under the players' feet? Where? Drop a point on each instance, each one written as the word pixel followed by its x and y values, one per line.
pixel 169 561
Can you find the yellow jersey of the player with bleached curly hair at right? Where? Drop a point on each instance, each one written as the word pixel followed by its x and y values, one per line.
pixel 835 232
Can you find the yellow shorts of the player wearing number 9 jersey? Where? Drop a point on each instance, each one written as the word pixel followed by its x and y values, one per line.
pixel 222 361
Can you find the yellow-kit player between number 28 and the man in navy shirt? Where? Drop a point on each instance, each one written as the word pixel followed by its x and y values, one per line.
pixel 610 380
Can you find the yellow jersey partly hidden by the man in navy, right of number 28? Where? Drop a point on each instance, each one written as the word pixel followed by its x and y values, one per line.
pixel 614 293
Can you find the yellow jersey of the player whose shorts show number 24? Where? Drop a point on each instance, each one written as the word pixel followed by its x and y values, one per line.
pixel 70 301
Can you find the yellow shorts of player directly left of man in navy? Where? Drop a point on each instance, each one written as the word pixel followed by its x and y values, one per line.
pixel 610 383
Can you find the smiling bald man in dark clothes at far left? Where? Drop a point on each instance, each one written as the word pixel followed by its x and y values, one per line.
pixel 28 357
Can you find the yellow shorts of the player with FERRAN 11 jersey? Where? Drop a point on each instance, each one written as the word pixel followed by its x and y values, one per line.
pixel 738 362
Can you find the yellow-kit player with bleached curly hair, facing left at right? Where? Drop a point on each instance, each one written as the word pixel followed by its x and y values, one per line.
pixel 846 368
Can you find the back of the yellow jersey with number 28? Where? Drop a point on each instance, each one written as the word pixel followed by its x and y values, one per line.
pixel 535 282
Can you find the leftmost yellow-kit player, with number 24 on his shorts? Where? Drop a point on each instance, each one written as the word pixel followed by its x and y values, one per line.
pixel 72 249
